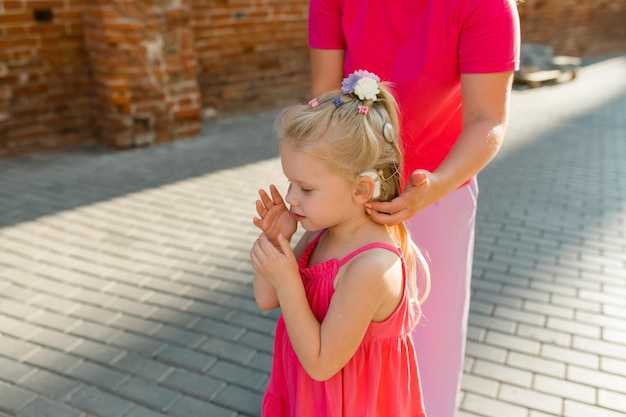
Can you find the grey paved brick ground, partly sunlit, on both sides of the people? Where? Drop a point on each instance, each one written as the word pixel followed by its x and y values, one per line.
pixel 125 288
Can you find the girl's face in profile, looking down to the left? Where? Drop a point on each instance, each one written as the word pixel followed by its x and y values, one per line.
pixel 319 198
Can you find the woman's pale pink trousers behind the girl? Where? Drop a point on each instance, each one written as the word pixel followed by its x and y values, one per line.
pixel 444 231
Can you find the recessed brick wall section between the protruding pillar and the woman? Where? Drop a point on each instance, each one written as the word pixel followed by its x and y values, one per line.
pixel 252 54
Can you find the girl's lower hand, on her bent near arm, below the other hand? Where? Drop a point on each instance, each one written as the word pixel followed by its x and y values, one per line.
pixel 277 265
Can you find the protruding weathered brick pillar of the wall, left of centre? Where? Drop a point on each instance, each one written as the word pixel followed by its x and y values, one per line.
pixel 144 70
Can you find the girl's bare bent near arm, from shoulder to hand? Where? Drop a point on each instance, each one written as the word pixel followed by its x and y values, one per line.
pixel 369 289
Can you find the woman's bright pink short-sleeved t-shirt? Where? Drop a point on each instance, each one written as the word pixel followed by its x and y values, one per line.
pixel 422 47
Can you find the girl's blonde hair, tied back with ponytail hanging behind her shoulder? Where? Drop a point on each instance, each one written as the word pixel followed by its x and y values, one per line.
pixel 352 141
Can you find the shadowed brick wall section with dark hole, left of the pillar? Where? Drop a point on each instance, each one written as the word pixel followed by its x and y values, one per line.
pixel 44 81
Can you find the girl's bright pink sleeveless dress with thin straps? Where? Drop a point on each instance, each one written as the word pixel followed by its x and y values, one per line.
pixel 380 380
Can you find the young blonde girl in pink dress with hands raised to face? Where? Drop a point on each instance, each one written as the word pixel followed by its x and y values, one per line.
pixel 348 291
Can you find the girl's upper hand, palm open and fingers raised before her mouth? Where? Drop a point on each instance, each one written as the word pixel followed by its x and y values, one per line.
pixel 274 217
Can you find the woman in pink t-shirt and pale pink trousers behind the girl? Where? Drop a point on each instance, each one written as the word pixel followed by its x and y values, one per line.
pixel 452 64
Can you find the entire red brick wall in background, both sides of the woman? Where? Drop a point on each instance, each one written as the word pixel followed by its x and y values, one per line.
pixel 124 73
